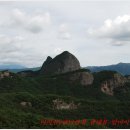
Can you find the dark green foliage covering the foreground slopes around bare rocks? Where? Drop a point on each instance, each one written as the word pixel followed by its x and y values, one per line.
pixel 40 91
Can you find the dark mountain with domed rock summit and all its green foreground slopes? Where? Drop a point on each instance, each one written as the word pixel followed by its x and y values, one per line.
pixel 35 99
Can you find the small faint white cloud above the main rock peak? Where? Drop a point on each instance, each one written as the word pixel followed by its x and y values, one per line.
pixel 64 32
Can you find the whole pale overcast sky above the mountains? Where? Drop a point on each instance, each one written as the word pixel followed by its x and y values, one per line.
pixel 96 32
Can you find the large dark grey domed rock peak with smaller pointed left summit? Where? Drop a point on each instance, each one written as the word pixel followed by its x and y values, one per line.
pixel 65 62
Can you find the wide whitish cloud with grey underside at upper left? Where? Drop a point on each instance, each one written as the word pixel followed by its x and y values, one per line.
pixel 34 23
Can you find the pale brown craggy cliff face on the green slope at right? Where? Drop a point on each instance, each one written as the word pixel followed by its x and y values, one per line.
pixel 108 86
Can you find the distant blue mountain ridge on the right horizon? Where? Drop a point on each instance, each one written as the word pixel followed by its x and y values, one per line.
pixel 123 68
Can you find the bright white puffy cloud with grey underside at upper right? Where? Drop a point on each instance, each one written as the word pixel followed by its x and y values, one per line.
pixel 116 31
